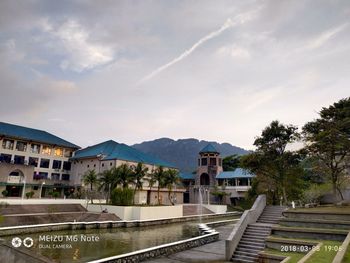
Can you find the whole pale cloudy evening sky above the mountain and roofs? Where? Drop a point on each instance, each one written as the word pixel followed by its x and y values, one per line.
pixel 133 71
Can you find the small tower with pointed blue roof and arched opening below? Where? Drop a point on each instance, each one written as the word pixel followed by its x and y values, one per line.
pixel 209 166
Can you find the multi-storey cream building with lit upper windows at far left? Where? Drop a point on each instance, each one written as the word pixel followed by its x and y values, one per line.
pixel 34 160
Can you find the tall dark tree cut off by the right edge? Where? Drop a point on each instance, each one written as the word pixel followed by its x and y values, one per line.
pixel 327 139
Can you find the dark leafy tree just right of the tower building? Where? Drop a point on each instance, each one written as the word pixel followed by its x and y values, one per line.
pixel 272 163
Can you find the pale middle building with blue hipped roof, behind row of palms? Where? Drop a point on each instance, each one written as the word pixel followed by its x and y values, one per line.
pixel 109 154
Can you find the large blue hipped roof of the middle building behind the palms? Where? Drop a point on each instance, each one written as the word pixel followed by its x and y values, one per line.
pixel 111 150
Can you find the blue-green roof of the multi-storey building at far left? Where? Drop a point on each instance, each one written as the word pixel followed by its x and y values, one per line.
pixel 24 133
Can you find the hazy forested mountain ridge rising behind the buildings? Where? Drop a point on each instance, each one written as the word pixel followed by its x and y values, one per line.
pixel 184 152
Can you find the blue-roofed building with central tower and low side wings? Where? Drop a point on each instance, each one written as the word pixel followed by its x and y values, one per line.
pixel 210 177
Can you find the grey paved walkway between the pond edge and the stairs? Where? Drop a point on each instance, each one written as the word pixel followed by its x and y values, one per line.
pixel 212 252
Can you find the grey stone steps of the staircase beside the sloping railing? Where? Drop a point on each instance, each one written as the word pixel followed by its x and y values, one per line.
pixel 253 239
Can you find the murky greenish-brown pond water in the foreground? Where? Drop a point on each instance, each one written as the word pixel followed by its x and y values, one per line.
pixel 111 241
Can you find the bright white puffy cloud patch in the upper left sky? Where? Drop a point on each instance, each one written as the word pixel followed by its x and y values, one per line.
pixel 81 53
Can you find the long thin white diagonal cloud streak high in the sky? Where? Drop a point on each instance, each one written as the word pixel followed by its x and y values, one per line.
pixel 239 19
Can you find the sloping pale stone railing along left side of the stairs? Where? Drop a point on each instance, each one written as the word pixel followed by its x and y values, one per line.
pixel 248 217
